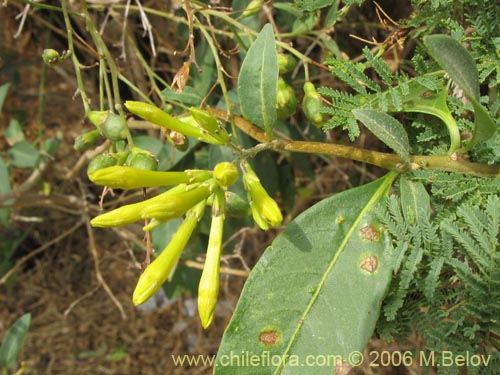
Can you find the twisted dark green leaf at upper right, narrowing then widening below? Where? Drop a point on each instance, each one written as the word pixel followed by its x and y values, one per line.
pixel 460 66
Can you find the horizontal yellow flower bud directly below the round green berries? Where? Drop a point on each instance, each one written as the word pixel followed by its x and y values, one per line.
pixel 121 177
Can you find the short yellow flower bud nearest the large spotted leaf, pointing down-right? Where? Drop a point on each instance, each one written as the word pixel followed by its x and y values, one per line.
pixel 265 210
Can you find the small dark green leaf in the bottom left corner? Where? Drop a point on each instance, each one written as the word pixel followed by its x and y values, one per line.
pixel 13 341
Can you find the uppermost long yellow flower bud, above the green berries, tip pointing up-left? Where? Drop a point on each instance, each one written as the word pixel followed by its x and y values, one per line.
pixel 155 115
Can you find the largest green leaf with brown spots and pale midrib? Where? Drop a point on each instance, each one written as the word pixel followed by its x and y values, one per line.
pixel 313 292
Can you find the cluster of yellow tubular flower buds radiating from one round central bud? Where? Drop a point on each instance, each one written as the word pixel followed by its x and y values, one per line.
pixel 194 191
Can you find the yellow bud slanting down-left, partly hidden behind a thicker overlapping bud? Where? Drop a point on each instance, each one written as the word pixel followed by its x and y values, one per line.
pixel 131 213
